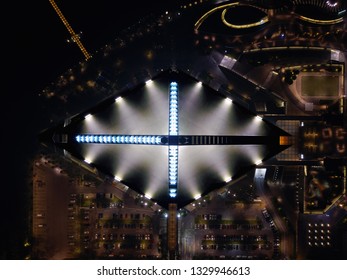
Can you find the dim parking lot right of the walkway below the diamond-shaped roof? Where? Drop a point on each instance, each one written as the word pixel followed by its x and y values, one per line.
pixel 232 233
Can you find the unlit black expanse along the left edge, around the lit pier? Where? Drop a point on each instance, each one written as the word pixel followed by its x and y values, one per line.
pixel 36 53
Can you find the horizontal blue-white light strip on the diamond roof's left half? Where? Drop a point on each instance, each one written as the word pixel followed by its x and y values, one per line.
pixel 119 139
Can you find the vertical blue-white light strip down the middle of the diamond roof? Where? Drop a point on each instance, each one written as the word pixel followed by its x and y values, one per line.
pixel 173 131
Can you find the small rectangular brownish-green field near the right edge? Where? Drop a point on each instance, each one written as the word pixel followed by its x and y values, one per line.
pixel 319 86
